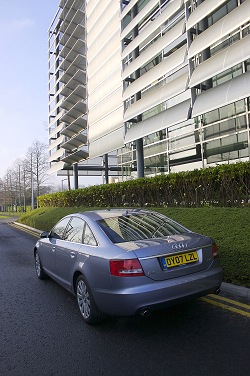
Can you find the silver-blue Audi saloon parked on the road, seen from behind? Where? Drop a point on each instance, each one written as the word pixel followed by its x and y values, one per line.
pixel 123 262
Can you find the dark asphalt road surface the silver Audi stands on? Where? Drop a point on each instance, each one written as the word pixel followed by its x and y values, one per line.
pixel 42 332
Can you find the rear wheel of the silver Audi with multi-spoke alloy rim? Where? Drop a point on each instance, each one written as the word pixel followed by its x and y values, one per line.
pixel 89 311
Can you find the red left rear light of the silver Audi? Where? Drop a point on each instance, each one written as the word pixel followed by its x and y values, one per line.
pixel 126 268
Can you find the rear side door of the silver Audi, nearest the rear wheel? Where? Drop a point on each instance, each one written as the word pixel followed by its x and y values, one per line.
pixel 67 251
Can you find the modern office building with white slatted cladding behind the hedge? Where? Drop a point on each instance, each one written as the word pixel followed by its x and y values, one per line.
pixel 158 86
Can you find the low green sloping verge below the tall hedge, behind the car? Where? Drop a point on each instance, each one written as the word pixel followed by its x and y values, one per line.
pixel 228 226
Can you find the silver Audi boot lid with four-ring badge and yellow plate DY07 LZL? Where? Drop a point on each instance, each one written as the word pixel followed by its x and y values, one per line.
pixel 172 256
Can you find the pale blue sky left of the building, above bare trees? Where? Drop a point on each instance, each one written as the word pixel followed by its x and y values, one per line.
pixel 24 28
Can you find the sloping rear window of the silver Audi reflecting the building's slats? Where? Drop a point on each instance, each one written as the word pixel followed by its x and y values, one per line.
pixel 140 226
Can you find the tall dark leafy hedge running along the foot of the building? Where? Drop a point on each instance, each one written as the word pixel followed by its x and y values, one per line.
pixel 223 185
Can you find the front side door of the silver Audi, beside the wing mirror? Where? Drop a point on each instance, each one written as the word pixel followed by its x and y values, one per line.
pixel 49 245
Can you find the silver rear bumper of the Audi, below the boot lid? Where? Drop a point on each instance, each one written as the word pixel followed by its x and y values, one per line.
pixel 152 295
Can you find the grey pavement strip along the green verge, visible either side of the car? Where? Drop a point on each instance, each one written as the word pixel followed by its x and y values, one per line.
pixel 226 288
